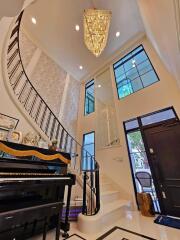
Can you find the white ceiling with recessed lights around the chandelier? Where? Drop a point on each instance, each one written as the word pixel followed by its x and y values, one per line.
pixel 55 30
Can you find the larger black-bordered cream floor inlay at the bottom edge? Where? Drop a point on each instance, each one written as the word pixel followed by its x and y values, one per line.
pixel 118 233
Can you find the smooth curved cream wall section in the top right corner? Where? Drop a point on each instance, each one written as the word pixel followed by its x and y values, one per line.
pixel 162 23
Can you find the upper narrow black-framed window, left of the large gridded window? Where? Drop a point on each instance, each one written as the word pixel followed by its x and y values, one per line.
pixel 89 97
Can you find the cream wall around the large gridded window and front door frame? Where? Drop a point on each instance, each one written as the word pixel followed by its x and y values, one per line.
pixel 115 162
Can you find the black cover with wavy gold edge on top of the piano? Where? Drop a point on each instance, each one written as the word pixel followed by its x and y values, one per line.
pixel 20 150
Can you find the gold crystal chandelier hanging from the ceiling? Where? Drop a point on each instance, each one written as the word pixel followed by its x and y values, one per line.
pixel 96 29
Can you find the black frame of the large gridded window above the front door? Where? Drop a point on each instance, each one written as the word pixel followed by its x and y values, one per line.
pixel 114 68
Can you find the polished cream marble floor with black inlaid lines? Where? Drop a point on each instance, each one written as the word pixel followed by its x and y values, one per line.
pixel 144 227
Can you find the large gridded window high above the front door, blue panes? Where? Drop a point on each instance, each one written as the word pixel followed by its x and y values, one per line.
pixel 134 72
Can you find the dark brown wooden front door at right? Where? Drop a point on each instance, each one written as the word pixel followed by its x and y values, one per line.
pixel 163 145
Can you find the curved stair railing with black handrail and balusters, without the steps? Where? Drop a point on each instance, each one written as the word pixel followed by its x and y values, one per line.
pixel 39 114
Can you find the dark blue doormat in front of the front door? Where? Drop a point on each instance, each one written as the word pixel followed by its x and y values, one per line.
pixel 168 221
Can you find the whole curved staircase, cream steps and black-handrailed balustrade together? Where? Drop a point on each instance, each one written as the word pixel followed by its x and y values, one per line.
pixel 36 110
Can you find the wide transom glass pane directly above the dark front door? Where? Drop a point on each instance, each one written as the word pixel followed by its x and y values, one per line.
pixel 158 117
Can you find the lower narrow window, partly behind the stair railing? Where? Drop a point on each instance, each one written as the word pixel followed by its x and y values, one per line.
pixel 88 152
